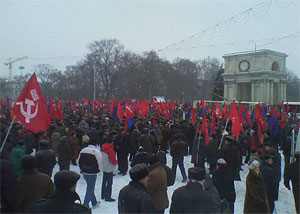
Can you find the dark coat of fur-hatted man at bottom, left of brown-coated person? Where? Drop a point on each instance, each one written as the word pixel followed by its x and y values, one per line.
pixel 134 198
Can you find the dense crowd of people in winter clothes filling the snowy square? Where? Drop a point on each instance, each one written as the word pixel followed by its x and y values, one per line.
pixel 96 142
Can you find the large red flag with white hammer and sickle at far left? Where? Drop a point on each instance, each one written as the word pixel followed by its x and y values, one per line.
pixel 30 108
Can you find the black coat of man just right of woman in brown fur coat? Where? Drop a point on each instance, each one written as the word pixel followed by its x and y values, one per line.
pixel 270 180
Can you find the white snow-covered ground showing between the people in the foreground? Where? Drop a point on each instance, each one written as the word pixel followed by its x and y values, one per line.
pixel 285 203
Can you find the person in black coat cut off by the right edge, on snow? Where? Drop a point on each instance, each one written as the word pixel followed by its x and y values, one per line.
pixel 291 172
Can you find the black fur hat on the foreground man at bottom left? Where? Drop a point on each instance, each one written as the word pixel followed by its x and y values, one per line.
pixel 65 179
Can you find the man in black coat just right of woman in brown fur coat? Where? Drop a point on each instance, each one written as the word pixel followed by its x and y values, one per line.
pixel 270 179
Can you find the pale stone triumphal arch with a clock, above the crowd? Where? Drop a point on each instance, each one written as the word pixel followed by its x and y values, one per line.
pixel 257 76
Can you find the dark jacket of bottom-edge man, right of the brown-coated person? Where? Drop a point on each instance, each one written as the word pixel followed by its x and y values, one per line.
pixel 192 198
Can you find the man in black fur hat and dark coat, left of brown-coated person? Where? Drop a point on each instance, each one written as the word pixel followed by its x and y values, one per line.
pixel 134 198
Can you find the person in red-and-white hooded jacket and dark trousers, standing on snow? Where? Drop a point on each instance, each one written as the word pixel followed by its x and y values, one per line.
pixel 109 164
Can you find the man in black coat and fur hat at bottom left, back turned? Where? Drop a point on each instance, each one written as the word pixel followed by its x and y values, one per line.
pixel 64 198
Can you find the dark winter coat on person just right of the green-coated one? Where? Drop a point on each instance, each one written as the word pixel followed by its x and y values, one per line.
pixel 46 160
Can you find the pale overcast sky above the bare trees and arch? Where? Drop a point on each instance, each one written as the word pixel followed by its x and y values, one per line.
pixel 57 32
